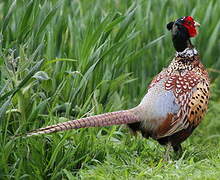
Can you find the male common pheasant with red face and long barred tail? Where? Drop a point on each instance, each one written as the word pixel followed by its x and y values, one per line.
pixel 175 102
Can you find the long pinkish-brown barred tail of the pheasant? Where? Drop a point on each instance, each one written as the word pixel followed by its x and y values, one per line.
pixel 107 119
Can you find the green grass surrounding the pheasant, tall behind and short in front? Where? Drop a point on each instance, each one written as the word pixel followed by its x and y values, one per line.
pixel 63 60
